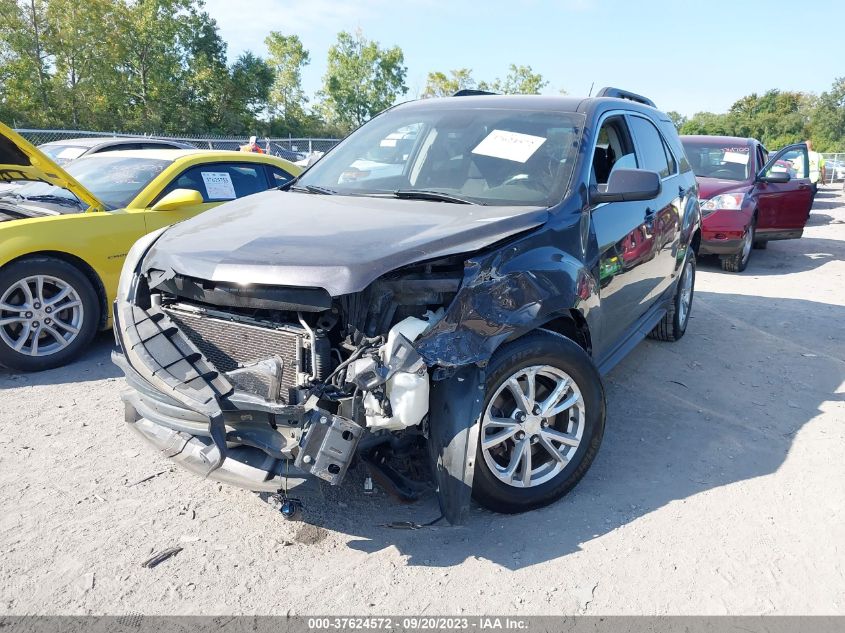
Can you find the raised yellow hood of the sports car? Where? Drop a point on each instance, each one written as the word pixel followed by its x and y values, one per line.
pixel 20 160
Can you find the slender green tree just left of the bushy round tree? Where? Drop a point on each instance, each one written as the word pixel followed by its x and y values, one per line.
pixel 287 57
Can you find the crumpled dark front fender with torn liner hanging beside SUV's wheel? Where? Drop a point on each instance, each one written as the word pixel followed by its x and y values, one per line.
pixel 504 294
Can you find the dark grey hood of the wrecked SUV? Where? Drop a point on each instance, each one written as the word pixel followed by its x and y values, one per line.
pixel 339 243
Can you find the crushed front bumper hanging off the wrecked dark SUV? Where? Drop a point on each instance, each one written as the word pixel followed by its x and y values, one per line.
pixel 179 403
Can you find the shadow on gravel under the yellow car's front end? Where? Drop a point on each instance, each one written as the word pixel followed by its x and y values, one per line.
pixel 94 364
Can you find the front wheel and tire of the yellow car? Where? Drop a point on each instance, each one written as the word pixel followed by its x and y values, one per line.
pixel 49 312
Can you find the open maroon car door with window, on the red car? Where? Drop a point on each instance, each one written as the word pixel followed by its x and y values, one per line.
pixel 784 194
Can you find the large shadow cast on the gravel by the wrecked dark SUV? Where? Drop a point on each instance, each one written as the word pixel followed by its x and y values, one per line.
pixel 683 418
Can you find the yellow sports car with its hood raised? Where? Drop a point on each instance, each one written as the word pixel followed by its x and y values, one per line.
pixel 64 236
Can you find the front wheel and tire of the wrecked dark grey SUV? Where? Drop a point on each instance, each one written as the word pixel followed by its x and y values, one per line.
pixel 542 423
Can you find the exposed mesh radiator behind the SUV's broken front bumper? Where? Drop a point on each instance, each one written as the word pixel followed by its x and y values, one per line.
pixel 230 345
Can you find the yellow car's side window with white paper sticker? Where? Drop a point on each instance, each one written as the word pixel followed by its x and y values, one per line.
pixel 219 182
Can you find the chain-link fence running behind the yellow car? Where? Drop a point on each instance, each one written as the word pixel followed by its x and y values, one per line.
pixel 289 148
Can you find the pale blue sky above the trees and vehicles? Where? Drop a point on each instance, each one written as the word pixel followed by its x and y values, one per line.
pixel 686 56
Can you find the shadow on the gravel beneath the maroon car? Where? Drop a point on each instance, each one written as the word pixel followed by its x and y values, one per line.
pixel 786 256
